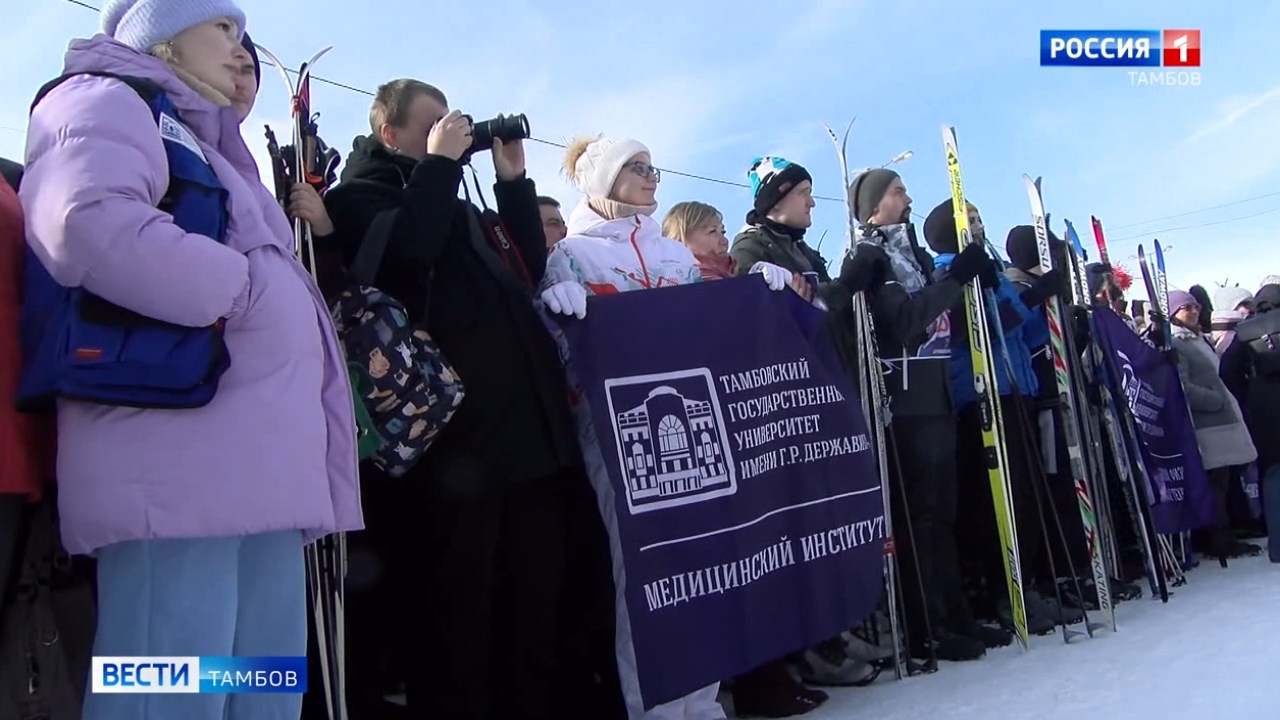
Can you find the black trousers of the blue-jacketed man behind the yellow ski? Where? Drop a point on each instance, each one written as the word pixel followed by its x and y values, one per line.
pixel 980 536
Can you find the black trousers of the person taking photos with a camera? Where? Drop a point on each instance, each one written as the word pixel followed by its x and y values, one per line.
pixel 479 573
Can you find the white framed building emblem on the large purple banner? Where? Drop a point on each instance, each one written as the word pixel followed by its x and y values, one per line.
pixel 671 439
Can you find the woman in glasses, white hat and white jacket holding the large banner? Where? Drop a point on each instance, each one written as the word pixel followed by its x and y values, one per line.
pixel 615 245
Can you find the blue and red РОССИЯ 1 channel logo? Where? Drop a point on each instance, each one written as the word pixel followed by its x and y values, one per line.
pixel 1121 48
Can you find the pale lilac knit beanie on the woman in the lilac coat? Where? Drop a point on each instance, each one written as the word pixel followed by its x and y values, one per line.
pixel 145 24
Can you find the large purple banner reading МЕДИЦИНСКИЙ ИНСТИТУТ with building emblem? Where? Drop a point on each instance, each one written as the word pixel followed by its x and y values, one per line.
pixel 737 479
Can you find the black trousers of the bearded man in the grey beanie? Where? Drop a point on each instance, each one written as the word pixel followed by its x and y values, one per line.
pixel 925 528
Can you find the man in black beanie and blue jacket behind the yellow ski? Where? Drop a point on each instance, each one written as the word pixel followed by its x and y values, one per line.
pixel 1016 380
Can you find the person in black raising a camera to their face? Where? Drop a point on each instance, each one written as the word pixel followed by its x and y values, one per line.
pixel 477 528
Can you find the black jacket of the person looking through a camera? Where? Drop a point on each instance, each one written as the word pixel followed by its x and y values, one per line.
pixel 515 422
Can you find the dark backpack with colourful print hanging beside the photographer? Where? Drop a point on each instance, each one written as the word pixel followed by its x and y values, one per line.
pixel 408 389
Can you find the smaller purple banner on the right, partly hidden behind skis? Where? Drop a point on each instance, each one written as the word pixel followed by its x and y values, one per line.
pixel 1181 496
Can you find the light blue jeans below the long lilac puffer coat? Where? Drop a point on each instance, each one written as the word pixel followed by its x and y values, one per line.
pixel 234 596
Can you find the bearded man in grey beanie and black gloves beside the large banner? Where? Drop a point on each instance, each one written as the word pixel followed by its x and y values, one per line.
pixel 913 332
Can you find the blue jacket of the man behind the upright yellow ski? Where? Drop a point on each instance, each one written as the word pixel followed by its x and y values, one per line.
pixel 1014 317
